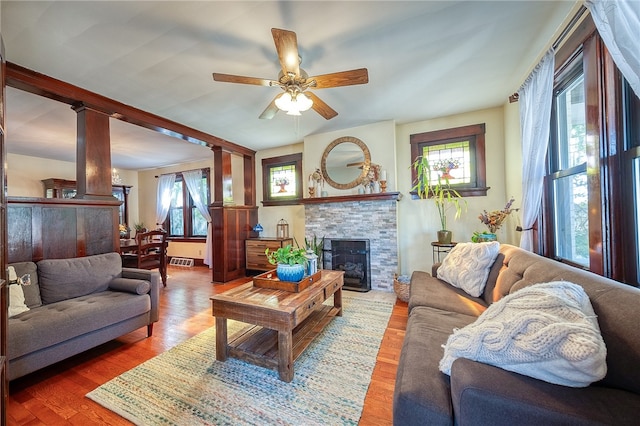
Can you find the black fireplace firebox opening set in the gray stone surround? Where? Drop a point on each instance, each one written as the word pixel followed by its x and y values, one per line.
pixel 352 257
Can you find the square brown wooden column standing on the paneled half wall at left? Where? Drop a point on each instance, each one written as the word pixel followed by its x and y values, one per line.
pixel 93 160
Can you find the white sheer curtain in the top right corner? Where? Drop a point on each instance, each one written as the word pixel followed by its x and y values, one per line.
pixel 618 23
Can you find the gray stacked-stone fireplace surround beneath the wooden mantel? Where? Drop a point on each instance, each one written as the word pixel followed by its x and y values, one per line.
pixel 372 218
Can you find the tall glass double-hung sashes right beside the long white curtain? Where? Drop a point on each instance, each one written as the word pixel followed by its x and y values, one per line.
pixel 568 167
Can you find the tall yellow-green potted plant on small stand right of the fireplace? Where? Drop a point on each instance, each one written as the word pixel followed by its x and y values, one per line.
pixel 441 192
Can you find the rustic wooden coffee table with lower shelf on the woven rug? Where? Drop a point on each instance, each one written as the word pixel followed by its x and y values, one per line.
pixel 285 323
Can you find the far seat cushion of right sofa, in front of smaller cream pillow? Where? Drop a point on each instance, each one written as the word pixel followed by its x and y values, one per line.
pixel 426 290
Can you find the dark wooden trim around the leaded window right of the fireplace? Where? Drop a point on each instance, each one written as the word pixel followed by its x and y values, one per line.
pixel 474 131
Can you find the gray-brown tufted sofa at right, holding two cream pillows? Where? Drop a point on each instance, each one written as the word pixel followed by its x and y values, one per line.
pixel 478 393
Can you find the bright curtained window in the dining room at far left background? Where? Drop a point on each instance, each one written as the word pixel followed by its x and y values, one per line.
pixel 184 219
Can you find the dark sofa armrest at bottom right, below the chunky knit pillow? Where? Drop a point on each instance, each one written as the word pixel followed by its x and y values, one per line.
pixel 484 394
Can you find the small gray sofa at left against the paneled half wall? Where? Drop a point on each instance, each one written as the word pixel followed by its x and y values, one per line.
pixel 76 304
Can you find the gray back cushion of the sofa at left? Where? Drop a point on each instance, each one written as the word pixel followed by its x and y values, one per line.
pixel 62 279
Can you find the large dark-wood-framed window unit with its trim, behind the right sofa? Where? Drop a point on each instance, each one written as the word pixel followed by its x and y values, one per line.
pixel 591 208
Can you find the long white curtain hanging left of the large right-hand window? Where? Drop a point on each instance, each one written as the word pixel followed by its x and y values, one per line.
pixel 535 98
